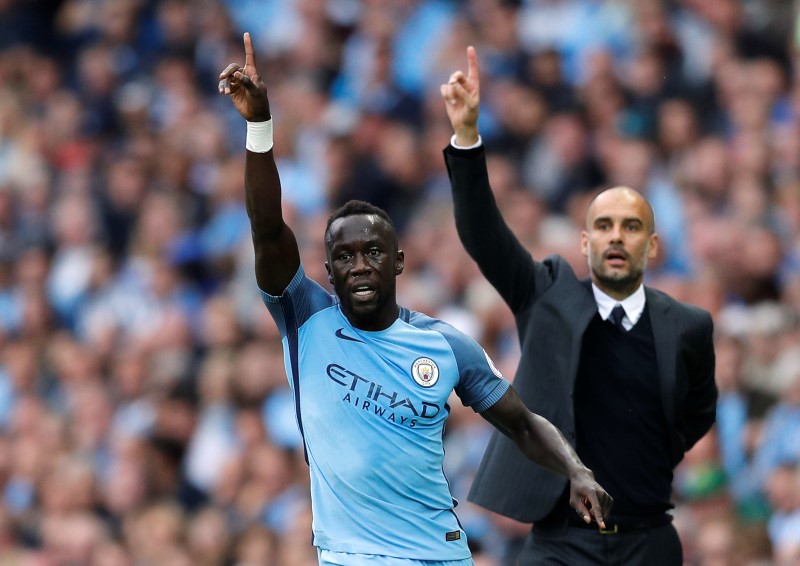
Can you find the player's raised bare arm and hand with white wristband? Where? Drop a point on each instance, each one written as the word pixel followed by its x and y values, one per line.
pixel 277 256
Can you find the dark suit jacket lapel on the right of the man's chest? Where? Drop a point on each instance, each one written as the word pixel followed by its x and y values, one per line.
pixel 664 335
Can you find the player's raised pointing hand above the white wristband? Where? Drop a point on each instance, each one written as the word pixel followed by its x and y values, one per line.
pixel 245 87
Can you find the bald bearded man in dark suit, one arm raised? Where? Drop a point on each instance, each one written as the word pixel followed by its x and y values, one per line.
pixel 625 371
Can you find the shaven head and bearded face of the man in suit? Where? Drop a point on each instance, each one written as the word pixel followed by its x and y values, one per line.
pixel 619 240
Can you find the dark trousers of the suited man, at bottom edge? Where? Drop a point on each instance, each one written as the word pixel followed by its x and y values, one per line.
pixel 574 546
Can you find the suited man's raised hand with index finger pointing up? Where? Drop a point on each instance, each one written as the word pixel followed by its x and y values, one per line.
pixel 462 95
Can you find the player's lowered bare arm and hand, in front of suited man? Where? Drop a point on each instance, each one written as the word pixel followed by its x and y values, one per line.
pixel 542 443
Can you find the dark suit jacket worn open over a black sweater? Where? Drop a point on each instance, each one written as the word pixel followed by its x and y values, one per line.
pixel 552 309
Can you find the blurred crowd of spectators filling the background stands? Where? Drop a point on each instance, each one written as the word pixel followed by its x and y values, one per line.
pixel 145 418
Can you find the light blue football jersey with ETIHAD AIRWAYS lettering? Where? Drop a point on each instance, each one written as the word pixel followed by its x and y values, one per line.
pixel 371 407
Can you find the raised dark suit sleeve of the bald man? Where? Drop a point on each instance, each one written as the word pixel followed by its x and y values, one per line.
pixel 502 259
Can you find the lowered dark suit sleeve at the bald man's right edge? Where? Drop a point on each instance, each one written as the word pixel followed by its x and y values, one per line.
pixel 701 399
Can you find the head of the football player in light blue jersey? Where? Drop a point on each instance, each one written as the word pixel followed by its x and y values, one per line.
pixel 363 265
